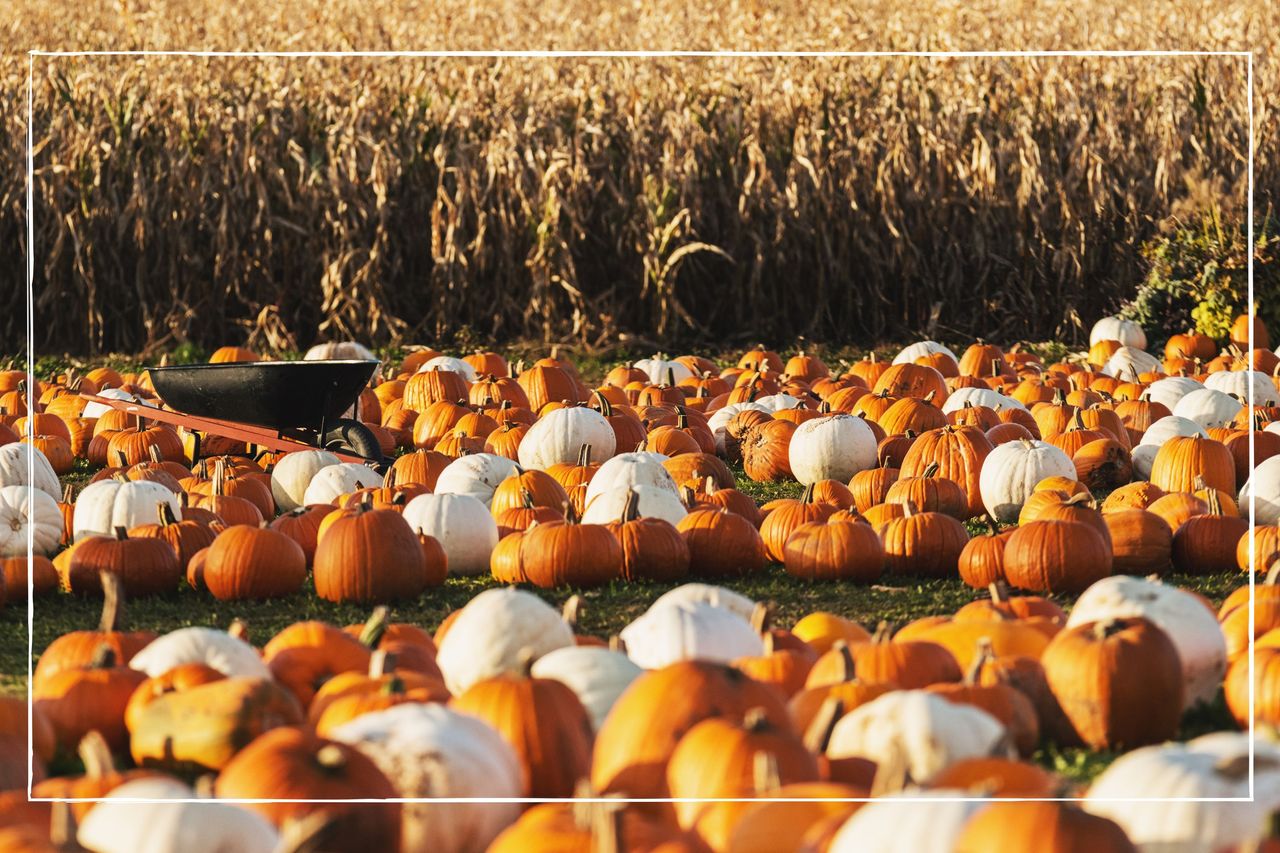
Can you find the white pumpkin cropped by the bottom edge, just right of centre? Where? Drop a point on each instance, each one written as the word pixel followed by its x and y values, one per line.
pixel 900 823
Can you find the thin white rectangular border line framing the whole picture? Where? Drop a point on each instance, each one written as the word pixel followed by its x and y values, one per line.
pixel 618 54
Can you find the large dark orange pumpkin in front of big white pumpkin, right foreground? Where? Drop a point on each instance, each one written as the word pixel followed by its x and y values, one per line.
pixel 1119 682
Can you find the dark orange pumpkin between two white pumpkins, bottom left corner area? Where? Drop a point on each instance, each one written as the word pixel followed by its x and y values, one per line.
pixel 287 765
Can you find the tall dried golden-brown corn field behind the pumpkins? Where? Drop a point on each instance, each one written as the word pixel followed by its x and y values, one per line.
pixel 281 200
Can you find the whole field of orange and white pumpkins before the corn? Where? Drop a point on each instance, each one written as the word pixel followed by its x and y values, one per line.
pixel 898 590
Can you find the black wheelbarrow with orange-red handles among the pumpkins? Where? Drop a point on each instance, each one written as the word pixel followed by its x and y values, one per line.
pixel 277 405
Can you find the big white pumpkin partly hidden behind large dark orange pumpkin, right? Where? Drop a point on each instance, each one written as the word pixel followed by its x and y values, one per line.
pixel 1192 628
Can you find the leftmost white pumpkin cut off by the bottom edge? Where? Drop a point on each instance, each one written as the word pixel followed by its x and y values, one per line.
pixel 122 824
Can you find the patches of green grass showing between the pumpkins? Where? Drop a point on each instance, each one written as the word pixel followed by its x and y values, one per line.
pixel 607 610
